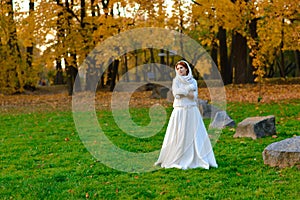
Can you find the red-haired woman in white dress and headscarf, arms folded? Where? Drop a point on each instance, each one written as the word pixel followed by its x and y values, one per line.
pixel 186 143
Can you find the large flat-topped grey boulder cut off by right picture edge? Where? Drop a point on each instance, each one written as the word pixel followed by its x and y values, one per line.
pixel 285 153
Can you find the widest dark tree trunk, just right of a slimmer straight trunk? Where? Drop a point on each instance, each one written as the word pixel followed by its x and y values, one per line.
pixel 238 58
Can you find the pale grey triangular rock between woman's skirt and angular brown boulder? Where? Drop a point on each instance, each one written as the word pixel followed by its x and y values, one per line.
pixel 222 120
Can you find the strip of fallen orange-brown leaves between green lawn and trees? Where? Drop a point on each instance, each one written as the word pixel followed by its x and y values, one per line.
pixel 56 98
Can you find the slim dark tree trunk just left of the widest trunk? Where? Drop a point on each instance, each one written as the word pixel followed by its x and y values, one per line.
pixel 225 68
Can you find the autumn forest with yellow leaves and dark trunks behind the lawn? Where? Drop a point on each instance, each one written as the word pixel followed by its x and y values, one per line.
pixel 249 41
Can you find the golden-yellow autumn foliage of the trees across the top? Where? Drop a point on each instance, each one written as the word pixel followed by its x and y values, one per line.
pixel 277 22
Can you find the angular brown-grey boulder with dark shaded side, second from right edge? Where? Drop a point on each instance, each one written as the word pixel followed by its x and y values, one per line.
pixel 256 127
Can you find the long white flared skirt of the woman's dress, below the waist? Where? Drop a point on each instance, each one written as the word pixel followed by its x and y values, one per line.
pixel 186 143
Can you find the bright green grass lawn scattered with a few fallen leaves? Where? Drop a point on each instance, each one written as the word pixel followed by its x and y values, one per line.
pixel 42 157
